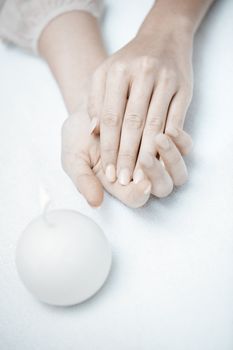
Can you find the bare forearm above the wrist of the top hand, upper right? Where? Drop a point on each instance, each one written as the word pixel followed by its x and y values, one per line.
pixel 178 16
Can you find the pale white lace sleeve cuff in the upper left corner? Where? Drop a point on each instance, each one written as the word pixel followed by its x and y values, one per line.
pixel 22 21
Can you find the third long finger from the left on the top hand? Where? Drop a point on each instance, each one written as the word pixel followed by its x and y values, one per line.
pixel 156 118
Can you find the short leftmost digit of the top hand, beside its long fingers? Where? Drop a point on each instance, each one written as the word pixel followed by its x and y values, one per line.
pixel 95 99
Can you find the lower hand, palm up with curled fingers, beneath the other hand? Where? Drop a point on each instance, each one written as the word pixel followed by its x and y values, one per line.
pixel 82 162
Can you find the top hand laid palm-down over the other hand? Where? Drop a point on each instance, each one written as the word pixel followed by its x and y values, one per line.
pixel 141 91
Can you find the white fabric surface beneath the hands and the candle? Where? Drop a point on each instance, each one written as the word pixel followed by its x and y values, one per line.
pixel 171 286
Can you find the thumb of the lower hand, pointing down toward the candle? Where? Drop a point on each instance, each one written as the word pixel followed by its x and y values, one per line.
pixel 83 178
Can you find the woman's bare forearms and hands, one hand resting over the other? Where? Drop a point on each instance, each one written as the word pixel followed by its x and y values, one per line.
pixel 136 99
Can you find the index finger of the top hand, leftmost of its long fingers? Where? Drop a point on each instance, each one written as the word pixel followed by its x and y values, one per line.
pixel 111 118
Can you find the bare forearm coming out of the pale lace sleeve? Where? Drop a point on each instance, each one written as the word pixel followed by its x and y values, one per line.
pixel 73 48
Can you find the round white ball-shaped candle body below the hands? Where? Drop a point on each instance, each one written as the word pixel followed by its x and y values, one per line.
pixel 63 257
